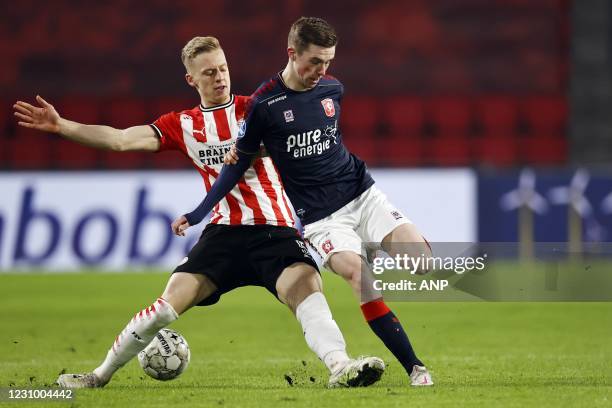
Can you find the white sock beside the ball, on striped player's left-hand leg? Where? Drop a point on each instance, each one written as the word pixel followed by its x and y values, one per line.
pixel 136 336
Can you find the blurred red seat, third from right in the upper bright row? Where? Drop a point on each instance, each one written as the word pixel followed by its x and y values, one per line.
pixel 451 116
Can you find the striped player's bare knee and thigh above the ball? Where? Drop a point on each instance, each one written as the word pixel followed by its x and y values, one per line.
pixel 185 290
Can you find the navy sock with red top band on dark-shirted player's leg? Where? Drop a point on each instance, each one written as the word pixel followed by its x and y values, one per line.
pixel 387 327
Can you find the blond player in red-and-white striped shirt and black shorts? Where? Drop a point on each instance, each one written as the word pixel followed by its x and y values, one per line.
pixel 250 239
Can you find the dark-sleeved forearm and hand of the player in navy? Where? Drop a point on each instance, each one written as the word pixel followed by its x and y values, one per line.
pixel 228 177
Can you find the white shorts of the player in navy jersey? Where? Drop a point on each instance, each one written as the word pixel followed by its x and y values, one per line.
pixel 367 219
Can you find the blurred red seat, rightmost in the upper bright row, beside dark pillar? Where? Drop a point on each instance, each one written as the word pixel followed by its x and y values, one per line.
pixel 546 115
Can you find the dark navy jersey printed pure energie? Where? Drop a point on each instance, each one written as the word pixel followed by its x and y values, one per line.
pixel 301 134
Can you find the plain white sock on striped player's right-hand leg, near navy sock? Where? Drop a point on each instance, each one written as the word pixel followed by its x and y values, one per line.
pixel 321 331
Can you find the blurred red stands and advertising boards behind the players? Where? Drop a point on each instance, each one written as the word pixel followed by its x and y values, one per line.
pixel 456 103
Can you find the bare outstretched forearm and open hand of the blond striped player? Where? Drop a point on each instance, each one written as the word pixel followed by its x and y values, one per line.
pixel 45 118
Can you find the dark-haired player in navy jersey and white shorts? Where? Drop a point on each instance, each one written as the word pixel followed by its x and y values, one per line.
pixel 295 115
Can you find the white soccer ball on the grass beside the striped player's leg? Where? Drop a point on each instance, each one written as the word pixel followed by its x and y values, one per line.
pixel 166 357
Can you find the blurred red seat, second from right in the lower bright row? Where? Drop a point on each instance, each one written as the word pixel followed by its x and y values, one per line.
pixel 496 149
